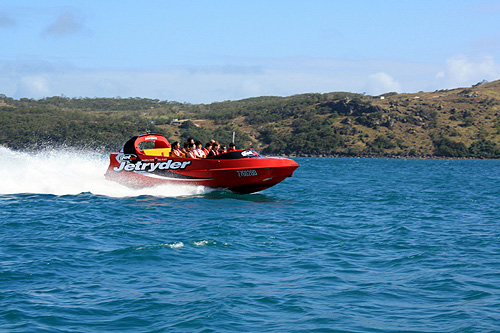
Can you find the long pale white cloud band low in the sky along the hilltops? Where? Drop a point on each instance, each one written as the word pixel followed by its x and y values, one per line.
pixel 259 77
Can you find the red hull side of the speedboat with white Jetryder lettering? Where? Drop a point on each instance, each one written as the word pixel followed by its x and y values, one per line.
pixel 243 175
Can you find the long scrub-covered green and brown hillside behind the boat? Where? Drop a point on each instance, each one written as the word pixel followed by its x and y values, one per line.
pixel 462 122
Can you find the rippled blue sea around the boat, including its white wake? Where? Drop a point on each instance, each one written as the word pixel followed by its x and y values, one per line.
pixel 345 245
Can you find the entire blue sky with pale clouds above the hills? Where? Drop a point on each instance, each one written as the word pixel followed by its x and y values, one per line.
pixel 209 51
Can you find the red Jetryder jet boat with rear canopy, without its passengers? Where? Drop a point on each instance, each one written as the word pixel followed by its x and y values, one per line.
pixel 145 161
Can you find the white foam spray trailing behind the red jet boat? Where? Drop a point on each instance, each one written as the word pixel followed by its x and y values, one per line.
pixel 69 172
